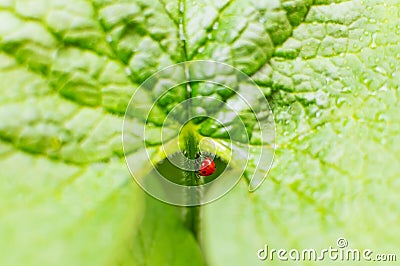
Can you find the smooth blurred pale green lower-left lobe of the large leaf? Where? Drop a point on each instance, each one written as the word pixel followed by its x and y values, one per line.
pixel 53 212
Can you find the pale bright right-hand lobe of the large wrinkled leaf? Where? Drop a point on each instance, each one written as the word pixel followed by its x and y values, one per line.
pixel 335 95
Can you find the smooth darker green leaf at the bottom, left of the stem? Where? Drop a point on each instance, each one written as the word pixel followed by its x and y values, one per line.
pixel 162 238
